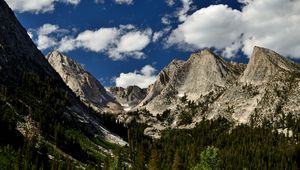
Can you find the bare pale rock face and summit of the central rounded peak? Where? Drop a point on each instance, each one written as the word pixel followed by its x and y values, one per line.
pixel 203 71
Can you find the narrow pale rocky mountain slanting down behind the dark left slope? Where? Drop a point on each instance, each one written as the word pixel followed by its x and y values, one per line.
pixel 83 84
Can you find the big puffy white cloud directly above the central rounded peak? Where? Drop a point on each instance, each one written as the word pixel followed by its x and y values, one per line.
pixel 215 26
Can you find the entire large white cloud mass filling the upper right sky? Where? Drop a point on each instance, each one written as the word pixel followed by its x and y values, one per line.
pixel 269 23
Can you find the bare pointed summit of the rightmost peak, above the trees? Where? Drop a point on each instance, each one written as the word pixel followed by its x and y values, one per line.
pixel 264 64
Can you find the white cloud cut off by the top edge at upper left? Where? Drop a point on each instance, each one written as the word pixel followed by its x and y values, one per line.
pixel 37 6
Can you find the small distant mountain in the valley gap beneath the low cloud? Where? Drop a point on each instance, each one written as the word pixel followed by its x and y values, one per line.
pixel 129 97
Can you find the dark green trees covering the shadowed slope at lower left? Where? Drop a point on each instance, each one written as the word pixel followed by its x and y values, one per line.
pixel 43 100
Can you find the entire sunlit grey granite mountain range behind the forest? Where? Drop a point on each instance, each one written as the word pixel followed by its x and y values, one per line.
pixel 216 87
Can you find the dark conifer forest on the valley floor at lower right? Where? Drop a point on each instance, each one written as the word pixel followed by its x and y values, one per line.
pixel 239 147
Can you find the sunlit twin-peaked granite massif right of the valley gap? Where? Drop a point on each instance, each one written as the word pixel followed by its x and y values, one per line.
pixel 206 86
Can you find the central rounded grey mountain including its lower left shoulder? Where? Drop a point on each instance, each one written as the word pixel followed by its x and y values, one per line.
pixel 202 73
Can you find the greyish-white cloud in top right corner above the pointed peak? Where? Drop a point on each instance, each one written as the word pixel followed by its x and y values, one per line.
pixel 272 24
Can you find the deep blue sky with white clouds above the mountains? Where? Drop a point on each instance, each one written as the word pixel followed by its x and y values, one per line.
pixel 127 42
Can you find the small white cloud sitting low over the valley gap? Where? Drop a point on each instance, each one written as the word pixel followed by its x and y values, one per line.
pixel 143 78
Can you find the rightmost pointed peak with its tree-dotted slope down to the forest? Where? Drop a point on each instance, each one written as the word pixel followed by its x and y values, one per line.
pixel 267 89
